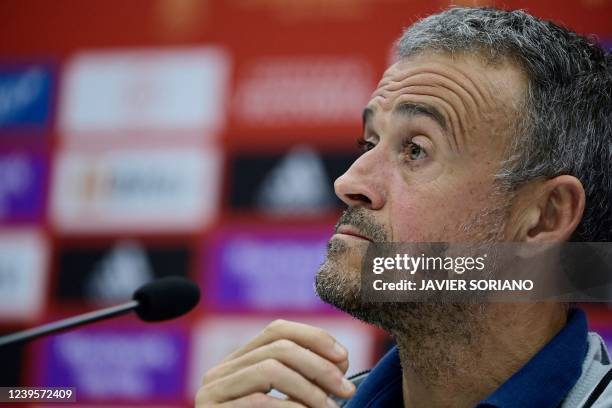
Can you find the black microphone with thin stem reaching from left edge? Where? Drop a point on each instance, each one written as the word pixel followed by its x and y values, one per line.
pixel 161 299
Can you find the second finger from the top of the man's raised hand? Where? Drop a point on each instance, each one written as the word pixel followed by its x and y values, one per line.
pixel 310 365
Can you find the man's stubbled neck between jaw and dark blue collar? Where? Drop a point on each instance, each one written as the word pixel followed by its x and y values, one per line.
pixel 461 366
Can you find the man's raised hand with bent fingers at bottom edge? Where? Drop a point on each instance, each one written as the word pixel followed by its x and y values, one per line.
pixel 301 361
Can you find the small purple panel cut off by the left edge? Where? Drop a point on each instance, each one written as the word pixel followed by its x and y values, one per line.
pixel 22 186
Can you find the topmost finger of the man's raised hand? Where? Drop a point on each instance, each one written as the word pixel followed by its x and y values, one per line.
pixel 312 338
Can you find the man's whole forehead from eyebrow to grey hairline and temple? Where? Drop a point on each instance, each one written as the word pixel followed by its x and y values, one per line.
pixel 470 97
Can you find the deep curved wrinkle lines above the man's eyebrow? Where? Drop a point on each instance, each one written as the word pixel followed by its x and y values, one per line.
pixel 463 99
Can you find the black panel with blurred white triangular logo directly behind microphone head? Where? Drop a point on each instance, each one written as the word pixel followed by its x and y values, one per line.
pixel 110 274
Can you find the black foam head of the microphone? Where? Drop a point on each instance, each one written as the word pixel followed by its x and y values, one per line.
pixel 166 298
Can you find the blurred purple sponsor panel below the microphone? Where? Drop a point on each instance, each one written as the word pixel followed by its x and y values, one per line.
pixel 117 363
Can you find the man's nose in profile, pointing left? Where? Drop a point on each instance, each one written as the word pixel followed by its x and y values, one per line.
pixel 361 184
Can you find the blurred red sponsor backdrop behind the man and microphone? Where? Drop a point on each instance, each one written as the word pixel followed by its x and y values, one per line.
pixel 147 138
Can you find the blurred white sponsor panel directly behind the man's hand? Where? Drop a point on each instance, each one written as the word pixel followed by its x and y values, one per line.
pixel 215 338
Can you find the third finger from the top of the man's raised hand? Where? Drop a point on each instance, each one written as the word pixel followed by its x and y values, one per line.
pixel 260 379
